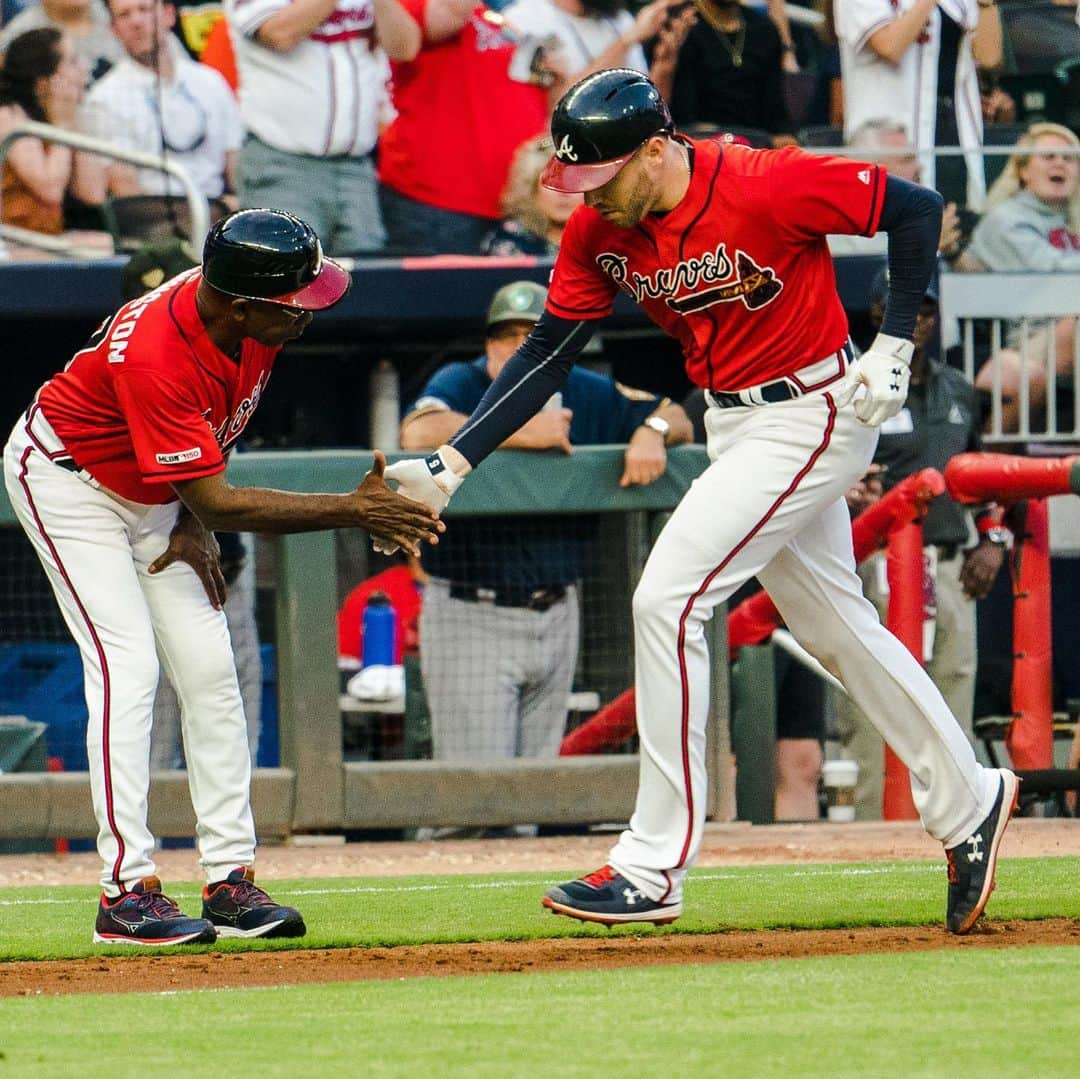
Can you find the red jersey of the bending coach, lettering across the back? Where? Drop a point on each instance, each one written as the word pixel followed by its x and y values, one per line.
pixel 152 399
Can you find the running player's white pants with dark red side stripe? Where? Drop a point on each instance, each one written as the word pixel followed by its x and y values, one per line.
pixel 772 505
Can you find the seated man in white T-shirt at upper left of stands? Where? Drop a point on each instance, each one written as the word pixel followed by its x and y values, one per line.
pixel 159 101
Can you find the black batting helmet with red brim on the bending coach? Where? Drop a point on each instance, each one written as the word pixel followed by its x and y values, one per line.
pixel 271 255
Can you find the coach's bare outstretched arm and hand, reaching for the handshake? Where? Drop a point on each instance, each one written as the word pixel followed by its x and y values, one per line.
pixel 387 517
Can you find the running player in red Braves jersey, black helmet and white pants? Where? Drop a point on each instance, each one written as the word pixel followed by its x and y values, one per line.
pixel 725 249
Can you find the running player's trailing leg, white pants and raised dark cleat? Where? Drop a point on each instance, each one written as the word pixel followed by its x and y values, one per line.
pixel 962 804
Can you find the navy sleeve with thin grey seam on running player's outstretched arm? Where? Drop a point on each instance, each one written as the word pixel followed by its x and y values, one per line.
pixel 532 375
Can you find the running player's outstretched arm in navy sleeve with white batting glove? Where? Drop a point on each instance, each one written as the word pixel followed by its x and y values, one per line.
pixel 532 375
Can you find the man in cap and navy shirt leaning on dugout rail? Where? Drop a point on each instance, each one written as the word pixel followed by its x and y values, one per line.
pixel 499 626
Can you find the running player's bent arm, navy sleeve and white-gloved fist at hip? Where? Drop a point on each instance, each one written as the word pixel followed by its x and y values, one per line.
pixel 912 215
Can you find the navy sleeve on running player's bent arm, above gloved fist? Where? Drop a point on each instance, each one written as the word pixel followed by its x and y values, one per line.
pixel 912 215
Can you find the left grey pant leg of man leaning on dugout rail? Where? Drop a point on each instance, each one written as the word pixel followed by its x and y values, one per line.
pixel 472 658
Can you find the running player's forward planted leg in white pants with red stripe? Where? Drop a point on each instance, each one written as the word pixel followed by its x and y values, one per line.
pixel 769 477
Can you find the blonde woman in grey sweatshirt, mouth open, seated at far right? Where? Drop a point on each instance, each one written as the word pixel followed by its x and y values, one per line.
pixel 1032 225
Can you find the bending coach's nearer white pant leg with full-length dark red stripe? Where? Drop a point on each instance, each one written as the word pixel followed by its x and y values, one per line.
pixel 84 541
